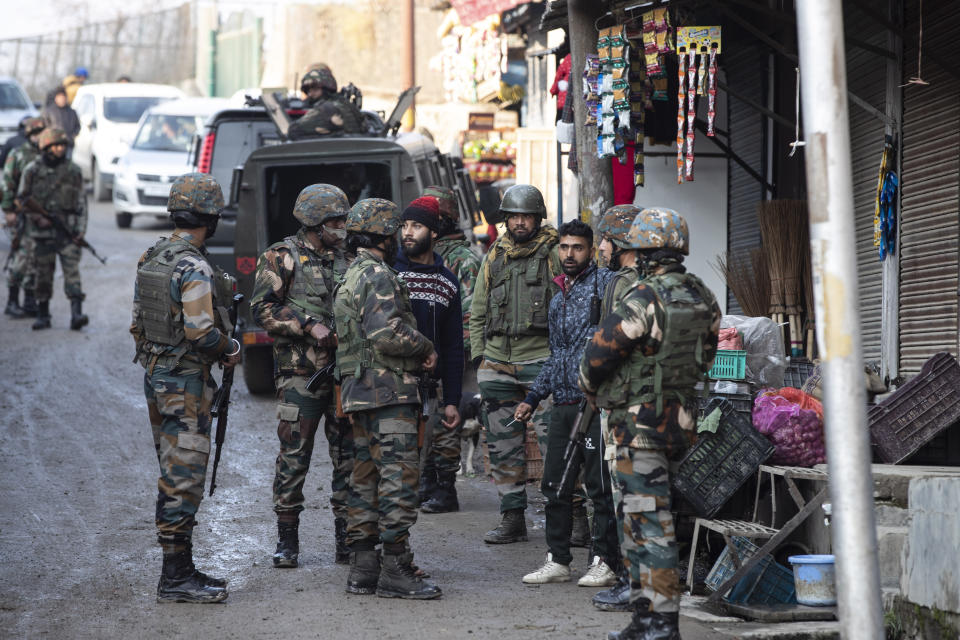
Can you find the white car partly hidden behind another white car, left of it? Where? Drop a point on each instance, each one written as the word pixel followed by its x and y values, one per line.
pixel 108 121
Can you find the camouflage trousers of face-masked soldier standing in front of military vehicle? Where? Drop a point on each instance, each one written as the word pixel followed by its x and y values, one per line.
pixel 299 412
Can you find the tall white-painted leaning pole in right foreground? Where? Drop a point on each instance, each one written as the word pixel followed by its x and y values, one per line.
pixel 833 252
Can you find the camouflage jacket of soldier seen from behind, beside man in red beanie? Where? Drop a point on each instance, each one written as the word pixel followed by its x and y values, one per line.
pixel 380 350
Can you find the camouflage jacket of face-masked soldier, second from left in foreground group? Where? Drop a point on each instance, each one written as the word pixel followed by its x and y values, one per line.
pixel 295 351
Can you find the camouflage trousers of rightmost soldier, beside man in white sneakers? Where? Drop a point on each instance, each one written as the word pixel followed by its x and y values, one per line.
pixel 647 539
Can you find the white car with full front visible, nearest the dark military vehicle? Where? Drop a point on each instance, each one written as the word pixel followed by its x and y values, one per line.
pixel 159 153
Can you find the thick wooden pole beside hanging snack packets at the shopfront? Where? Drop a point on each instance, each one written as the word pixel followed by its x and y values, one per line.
pixel 593 173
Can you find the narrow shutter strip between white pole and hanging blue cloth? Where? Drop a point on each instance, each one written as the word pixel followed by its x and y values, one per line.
pixel 866 78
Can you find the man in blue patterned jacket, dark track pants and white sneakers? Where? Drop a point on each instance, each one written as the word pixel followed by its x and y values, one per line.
pixel 571 325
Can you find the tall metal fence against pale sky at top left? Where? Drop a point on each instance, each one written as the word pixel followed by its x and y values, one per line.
pixel 151 47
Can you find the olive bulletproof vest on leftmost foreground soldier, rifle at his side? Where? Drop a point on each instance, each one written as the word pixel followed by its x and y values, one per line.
pixel 159 324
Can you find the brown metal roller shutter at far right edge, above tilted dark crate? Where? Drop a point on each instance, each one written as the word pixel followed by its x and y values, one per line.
pixel 930 199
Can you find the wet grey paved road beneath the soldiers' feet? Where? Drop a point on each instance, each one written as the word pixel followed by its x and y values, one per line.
pixel 78 473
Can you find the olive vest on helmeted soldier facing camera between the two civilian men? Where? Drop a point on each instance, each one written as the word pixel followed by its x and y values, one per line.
pixel 519 294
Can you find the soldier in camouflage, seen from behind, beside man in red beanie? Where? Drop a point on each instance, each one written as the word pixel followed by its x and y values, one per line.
pixel 379 355
